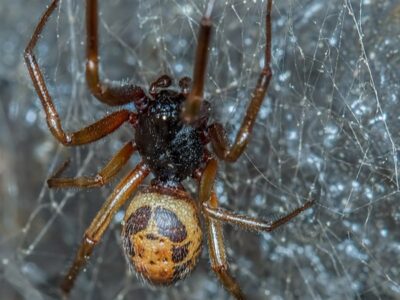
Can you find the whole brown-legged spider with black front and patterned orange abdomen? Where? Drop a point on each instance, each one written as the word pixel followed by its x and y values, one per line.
pixel 161 235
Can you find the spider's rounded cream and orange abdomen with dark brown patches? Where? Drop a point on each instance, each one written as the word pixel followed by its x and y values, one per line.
pixel 162 236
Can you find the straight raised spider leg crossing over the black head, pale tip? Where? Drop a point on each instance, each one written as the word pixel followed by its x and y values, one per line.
pixel 191 108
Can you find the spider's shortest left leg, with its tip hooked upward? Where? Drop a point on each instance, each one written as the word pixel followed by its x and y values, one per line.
pixel 104 176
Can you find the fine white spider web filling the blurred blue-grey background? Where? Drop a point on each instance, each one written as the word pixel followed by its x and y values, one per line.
pixel 329 123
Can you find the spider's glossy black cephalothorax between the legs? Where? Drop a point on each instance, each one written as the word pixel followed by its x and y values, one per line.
pixel 171 148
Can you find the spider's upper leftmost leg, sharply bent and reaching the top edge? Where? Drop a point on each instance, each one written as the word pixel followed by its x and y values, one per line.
pixel 84 136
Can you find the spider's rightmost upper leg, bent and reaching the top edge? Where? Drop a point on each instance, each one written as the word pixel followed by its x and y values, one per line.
pixel 217 132
